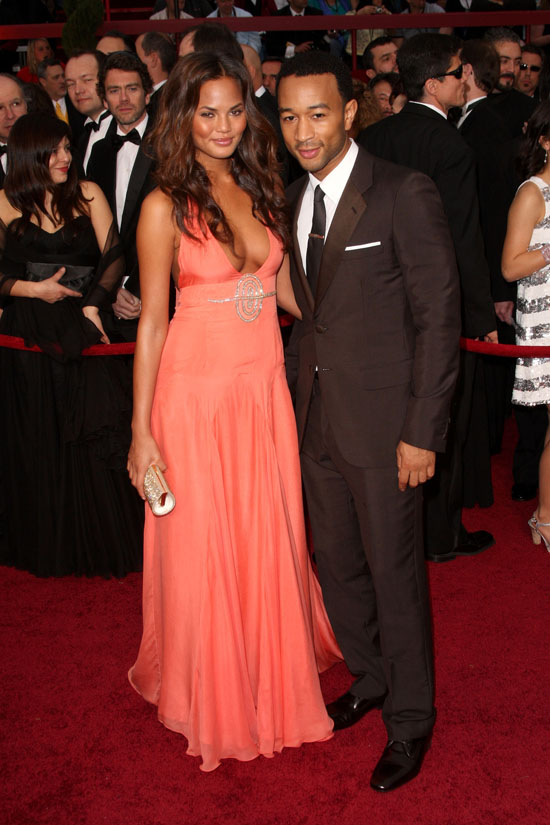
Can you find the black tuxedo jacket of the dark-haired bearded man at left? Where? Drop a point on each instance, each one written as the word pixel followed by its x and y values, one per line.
pixel 102 170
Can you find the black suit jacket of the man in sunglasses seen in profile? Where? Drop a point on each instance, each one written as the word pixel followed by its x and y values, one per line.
pixel 421 139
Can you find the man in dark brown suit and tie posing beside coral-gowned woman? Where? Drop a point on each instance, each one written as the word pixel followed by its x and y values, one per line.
pixel 374 361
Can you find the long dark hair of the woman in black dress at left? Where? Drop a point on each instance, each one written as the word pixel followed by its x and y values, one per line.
pixel 32 140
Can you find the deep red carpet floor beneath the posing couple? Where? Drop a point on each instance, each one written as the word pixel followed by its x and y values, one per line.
pixel 79 747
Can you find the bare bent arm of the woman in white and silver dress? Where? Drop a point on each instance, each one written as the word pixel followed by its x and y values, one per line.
pixel 526 211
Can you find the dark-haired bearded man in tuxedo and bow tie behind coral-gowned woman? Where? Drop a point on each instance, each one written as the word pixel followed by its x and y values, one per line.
pixel 123 169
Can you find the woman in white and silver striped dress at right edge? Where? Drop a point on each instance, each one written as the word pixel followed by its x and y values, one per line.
pixel 526 259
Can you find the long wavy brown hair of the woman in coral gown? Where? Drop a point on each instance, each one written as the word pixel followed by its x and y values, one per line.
pixel 254 163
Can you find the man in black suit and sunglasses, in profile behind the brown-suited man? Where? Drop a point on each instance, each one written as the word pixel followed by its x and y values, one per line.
pixel 421 138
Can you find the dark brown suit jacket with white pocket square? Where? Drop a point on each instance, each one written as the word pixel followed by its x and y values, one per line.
pixel 383 327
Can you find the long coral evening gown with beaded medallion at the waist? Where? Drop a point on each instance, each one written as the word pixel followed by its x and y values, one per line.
pixel 235 630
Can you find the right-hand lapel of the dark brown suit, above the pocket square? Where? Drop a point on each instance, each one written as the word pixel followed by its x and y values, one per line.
pixel 350 209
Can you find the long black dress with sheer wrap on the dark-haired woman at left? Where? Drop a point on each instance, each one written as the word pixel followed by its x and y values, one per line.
pixel 68 505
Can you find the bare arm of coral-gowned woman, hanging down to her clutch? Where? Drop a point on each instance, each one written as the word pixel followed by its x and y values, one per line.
pixel 155 245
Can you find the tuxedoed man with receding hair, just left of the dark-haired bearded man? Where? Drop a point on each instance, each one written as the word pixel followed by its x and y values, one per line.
pixel 81 74
